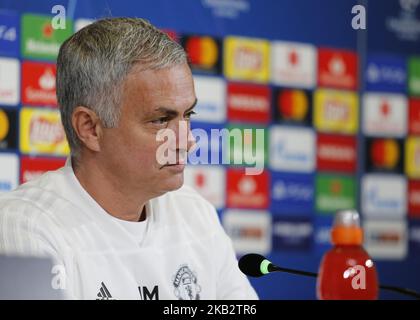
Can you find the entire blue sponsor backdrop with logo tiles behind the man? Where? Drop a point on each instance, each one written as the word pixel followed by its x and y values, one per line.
pixel 339 109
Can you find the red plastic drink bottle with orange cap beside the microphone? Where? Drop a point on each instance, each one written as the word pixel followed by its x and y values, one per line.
pixel 346 271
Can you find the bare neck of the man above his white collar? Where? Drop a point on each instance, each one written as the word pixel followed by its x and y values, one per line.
pixel 109 193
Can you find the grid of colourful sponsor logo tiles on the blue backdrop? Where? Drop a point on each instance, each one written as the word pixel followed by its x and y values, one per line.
pixel 328 144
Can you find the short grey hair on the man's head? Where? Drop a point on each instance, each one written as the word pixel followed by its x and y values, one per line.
pixel 94 62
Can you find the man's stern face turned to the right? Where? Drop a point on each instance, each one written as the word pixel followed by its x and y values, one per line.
pixel 152 100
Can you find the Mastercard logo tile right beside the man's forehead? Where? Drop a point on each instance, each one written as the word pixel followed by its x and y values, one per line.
pixel 202 51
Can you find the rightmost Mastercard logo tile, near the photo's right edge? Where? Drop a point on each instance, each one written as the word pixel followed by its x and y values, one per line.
pixel 385 153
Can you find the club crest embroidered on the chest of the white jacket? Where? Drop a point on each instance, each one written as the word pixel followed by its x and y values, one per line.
pixel 185 284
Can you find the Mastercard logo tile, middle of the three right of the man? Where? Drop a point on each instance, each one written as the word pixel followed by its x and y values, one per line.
pixel 293 104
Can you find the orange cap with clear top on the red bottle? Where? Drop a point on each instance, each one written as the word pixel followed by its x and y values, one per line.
pixel 346 228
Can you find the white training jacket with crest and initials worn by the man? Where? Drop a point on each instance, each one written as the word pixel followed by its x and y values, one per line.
pixel 179 252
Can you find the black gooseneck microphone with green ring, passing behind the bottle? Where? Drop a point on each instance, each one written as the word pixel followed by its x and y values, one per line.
pixel 256 265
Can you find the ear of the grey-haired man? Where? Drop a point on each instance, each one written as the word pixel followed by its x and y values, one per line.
pixel 88 127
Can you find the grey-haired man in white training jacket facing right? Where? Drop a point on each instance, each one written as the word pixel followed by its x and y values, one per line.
pixel 111 217
